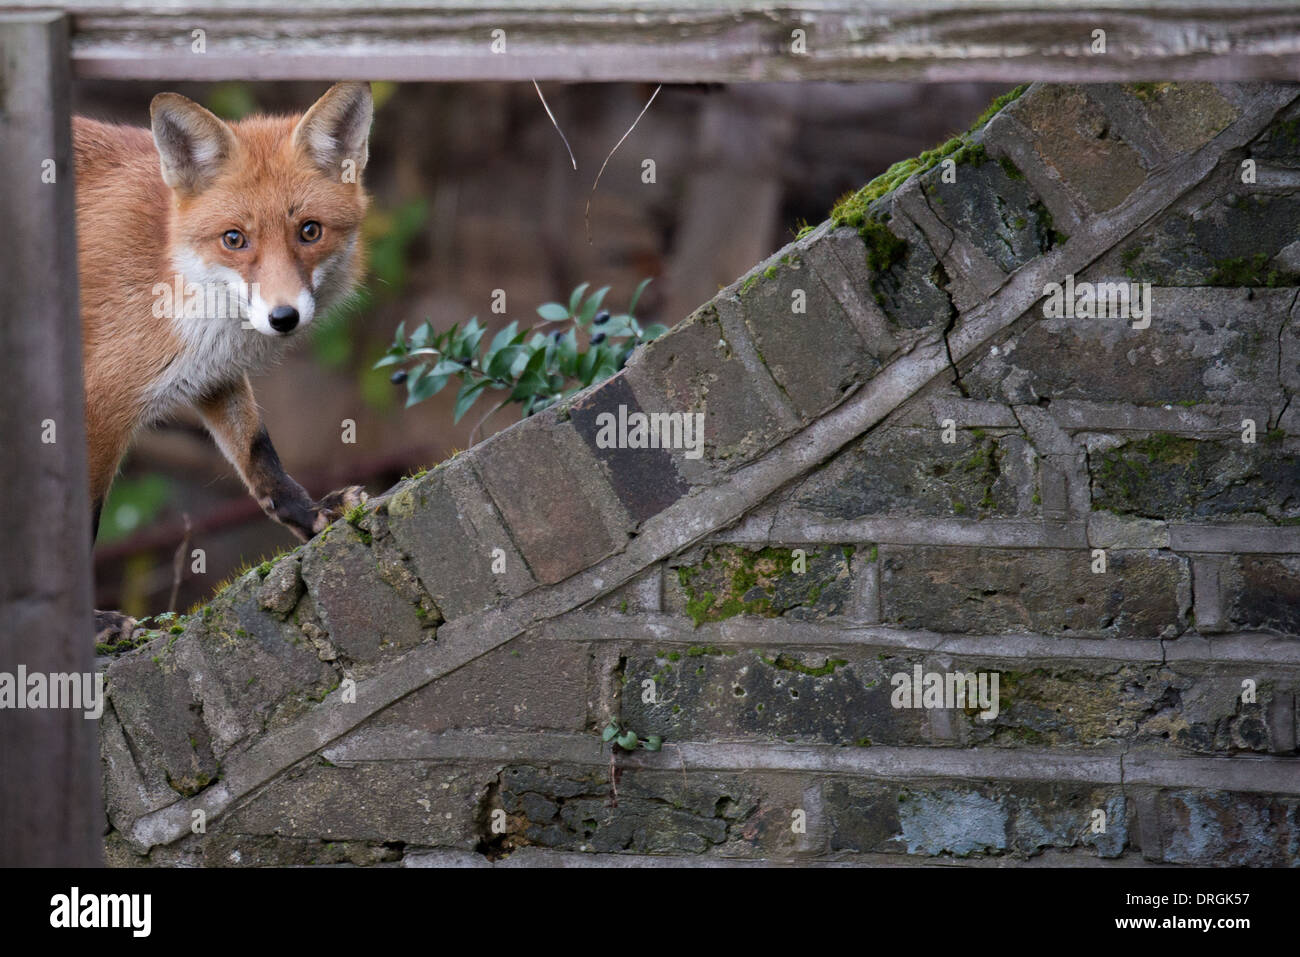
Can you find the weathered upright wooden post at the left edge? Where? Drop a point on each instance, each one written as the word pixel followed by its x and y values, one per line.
pixel 51 812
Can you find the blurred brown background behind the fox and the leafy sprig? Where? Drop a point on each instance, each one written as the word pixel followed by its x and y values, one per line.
pixel 474 192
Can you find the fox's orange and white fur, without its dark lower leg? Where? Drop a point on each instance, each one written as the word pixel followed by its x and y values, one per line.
pixel 135 231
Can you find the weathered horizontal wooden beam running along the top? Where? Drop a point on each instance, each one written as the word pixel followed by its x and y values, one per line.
pixel 678 41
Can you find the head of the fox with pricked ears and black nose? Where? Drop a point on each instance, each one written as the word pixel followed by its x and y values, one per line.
pixel 268 207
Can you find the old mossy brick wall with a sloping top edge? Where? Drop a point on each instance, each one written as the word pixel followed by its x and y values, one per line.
pixel 908 471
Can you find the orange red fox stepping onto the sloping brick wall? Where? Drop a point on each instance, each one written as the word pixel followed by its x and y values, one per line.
pixel 205 248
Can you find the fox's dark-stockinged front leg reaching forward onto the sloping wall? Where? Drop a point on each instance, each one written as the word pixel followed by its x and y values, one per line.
pixel 233 419
